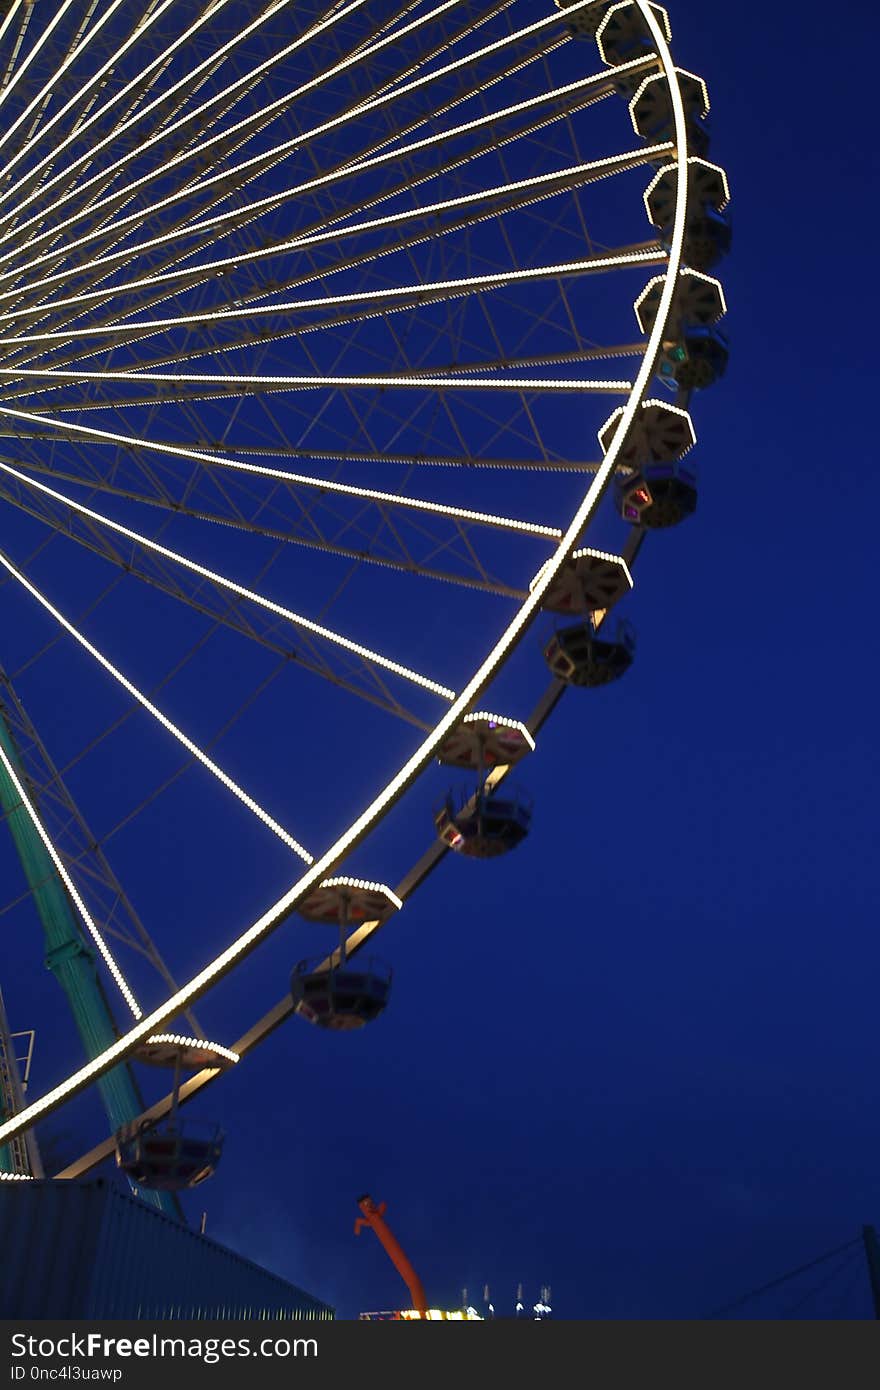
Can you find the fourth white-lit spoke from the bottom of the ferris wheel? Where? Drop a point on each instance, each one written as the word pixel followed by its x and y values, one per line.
pixel 302 480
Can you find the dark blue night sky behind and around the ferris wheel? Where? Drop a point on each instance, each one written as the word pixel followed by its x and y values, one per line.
pixel 637 1058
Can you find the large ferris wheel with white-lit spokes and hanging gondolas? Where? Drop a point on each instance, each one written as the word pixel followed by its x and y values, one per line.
pixel 347 347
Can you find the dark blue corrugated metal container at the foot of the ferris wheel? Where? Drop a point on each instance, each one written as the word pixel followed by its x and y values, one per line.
pixel 90 1250
